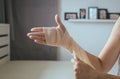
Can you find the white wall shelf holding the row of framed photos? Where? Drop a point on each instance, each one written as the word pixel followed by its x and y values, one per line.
pixel 92 21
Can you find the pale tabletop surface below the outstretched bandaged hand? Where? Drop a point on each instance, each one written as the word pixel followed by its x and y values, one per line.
pixel 37 70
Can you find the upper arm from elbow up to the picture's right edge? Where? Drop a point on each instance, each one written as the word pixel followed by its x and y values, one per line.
pixel 110 52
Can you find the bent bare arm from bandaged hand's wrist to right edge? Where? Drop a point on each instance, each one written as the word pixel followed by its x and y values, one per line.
pixel 108 55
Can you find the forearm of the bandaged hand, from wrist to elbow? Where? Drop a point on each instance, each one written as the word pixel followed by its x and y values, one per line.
pixel 85 56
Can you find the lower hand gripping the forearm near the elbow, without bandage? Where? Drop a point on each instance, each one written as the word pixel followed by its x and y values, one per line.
pixel 84 71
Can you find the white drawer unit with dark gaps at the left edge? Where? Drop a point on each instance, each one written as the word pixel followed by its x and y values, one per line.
pixel 4 43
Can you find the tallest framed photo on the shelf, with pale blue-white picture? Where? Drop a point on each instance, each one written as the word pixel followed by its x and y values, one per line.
pixel 92 12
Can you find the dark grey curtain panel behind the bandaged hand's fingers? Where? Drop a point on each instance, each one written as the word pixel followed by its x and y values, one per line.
pixel 23 15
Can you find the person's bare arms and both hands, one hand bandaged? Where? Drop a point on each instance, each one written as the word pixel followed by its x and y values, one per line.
pixel 97 66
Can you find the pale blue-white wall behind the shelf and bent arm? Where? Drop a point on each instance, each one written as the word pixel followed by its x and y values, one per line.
pixel 90 36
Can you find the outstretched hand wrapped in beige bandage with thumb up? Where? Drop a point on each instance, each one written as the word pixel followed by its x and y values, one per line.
pixel 53 36
